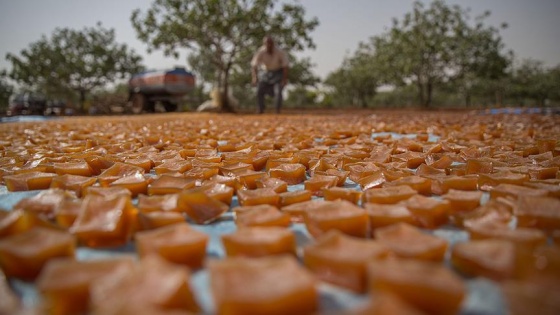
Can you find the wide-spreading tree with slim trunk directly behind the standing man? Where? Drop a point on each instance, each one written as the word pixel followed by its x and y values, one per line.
pixel 222 35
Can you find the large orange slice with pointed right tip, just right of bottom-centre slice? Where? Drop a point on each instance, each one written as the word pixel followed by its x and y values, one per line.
pixel 342 260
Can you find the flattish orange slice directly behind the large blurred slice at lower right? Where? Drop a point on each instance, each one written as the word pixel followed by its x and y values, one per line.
pixel 407 241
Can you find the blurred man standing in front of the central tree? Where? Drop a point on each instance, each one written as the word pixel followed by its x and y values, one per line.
pixel 274 73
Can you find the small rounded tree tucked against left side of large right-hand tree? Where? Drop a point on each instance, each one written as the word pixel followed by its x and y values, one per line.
pixel 357 80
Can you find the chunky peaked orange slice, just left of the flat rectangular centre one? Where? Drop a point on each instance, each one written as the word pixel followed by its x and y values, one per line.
pixel 177 243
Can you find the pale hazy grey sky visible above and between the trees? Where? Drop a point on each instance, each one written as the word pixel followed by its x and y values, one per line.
pixel 534 26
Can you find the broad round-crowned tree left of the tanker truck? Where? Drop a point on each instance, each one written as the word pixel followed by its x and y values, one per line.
pixel 74 60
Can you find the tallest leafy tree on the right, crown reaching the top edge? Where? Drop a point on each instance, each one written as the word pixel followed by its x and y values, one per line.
pixel 434 45
